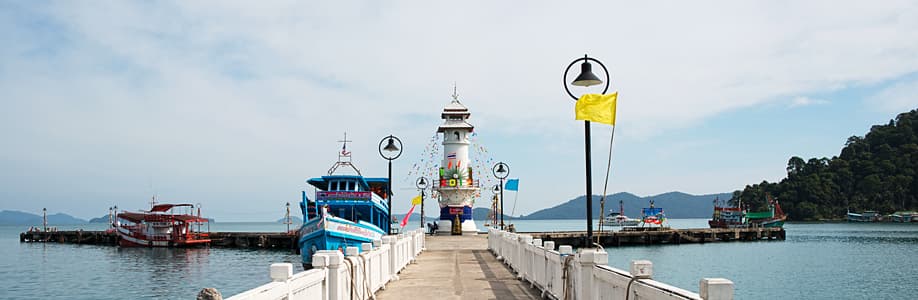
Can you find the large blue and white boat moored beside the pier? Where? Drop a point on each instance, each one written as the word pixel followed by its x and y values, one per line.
pixel 348 210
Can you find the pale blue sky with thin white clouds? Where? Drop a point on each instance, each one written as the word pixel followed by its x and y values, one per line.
pixel 234 105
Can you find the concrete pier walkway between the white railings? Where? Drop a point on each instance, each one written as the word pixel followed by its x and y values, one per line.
pixel 457 267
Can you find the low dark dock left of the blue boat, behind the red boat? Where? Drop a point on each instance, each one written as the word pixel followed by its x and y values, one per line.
pixel 242 240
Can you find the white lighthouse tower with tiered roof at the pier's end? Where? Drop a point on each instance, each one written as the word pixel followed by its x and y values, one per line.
pixel 457 187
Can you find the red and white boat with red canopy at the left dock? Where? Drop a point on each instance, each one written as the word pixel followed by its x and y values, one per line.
pixel 163 226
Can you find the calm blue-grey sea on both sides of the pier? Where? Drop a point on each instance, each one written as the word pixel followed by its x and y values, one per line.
pixel 817 261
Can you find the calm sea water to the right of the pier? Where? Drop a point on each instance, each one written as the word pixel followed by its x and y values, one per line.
pixel 816 261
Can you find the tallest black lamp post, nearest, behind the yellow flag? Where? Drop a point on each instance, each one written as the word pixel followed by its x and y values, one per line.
pixel 586 79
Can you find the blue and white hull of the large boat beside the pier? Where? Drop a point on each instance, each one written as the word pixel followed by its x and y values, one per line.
pixel 332 233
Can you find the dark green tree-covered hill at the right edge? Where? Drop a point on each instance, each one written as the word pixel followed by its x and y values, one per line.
pixel 873 172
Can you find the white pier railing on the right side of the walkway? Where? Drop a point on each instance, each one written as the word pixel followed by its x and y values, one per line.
pixel 563 274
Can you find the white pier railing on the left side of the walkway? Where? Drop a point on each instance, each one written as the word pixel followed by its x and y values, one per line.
pixel 336 275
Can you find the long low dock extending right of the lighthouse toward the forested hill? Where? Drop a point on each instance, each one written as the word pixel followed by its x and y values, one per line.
pixel 662 236
